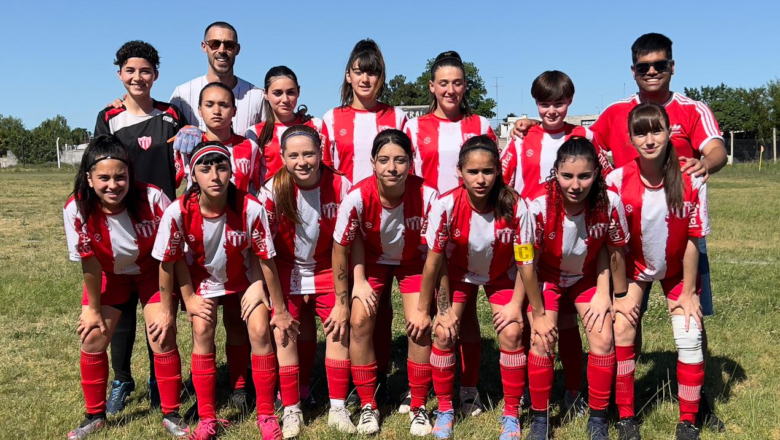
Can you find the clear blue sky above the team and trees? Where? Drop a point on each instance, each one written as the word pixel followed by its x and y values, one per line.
pixel 59 54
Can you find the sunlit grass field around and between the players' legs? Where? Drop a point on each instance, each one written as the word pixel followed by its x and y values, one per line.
pixel 40 396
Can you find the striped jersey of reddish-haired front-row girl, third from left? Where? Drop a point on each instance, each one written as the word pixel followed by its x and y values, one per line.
pixel 304 250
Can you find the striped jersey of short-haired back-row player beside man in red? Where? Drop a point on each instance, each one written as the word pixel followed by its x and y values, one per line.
pixel 527 163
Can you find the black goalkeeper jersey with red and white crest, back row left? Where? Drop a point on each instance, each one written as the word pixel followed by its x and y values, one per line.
pixel 146 140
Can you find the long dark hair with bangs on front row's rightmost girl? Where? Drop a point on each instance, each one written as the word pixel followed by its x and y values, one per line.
pixel 649 117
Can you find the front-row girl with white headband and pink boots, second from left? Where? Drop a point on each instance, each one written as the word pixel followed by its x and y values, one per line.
pixel 225 231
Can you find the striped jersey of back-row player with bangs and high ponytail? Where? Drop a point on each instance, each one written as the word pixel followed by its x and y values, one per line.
pixel 352 134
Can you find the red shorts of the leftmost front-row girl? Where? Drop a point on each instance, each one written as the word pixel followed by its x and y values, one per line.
pixel 115 289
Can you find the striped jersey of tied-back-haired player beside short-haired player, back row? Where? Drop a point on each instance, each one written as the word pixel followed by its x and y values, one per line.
pixel 436 142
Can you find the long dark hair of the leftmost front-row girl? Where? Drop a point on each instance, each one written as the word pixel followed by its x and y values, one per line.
pixel 103 147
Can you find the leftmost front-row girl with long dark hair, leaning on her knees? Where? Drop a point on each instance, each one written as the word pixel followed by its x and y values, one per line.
pixel 110 224
